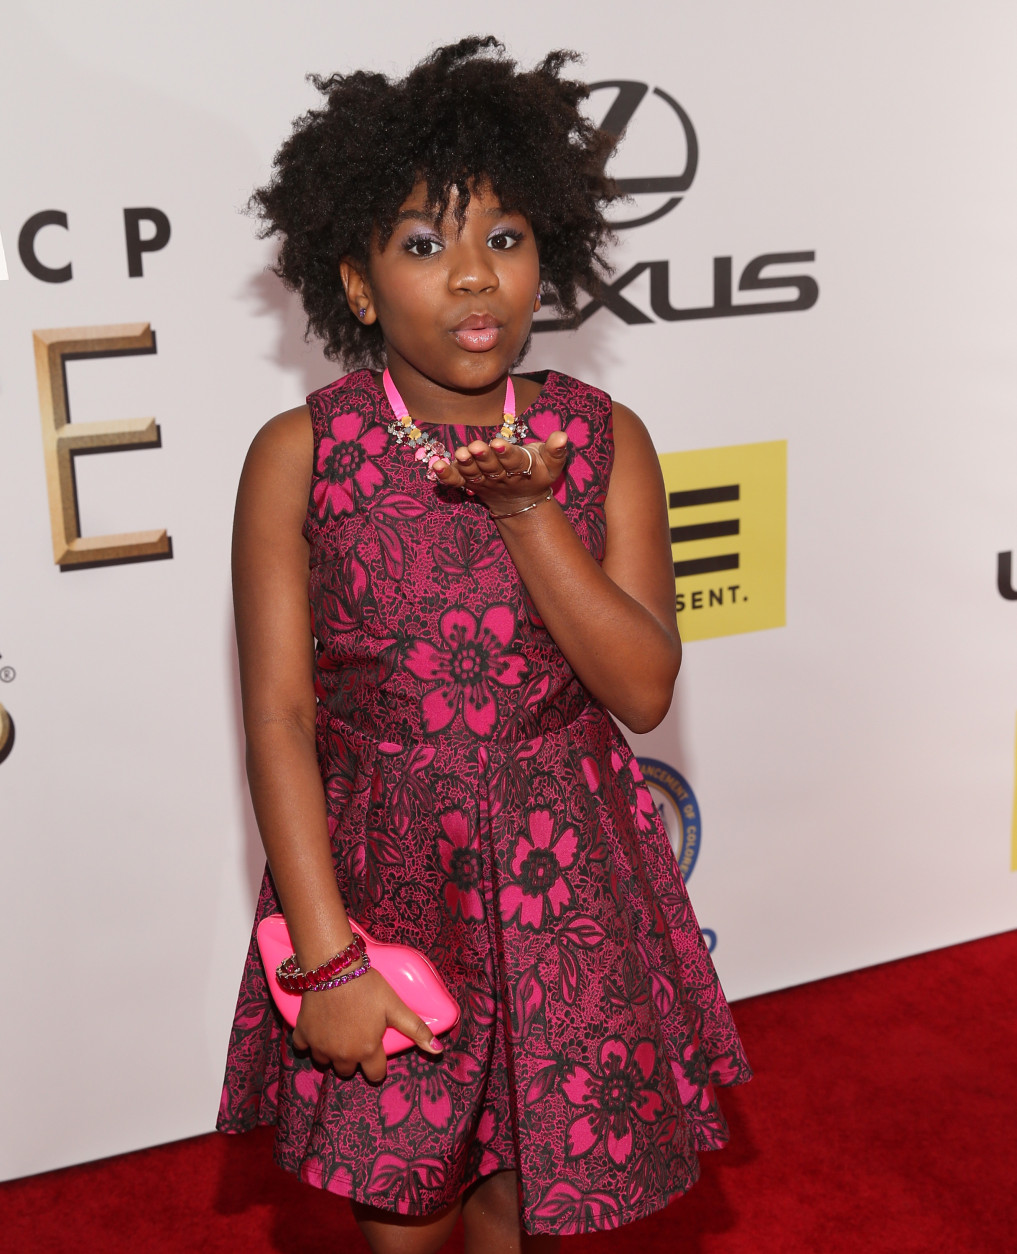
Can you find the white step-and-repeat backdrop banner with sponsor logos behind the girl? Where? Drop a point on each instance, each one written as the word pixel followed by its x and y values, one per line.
pixel 813 312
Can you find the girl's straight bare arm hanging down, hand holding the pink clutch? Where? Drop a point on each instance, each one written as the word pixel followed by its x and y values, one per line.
pixel 277 663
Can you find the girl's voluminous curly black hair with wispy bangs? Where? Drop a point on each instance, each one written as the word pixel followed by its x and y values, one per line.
pixel 463 117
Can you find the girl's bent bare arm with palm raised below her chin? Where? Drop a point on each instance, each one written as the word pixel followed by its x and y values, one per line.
pixel 614 623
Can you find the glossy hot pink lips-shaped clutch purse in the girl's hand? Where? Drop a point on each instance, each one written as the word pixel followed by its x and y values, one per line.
pixel 407 970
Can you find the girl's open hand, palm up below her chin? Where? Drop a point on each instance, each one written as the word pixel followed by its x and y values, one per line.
pixel 496 472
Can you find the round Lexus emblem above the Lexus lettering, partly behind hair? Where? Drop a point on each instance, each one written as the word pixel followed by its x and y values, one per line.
pixel 661 131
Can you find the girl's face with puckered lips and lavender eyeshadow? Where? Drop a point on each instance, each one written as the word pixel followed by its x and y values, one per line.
pixel 455 304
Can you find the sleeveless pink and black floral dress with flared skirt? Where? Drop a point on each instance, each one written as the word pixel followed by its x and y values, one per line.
pixel 485 808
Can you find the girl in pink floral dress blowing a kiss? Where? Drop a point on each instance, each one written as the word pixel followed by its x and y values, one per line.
pixel 429 746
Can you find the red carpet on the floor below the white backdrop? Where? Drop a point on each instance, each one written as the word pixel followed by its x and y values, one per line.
pixel 888 1128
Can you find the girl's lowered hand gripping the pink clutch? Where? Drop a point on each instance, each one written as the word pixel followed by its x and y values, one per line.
pixel 343 1028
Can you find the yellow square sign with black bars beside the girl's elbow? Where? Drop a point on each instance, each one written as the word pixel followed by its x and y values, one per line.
pixel 728 511
